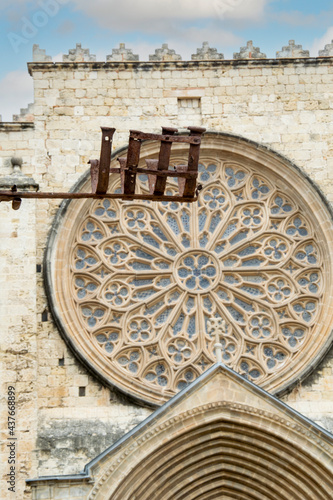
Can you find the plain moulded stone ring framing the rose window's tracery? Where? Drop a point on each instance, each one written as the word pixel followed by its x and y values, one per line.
pixel 279 170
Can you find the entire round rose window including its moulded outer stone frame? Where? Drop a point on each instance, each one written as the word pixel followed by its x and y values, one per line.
pixel 131 286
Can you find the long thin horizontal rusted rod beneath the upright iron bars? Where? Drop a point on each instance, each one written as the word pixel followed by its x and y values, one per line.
pixel 9 196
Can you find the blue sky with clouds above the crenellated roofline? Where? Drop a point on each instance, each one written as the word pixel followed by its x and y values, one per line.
pixel 100 25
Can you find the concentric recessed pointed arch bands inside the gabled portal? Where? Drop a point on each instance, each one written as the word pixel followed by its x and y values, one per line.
pixel 224 458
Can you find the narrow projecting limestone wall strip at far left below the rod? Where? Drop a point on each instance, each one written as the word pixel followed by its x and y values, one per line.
pixel 18 345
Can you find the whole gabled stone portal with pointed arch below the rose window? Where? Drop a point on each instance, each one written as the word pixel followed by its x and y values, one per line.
pixel 221 437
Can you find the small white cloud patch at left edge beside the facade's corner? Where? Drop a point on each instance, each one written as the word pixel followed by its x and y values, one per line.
pixel 16 92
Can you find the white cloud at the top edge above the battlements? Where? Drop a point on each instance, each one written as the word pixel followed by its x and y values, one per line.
pixel 154 16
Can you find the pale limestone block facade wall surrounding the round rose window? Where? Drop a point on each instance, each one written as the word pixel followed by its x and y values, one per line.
pixel 283 105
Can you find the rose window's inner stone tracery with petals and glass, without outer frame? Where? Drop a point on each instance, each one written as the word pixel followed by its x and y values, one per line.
pixel 146 278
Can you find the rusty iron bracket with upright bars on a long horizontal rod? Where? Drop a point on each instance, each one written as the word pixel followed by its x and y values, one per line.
pixel 157 170
